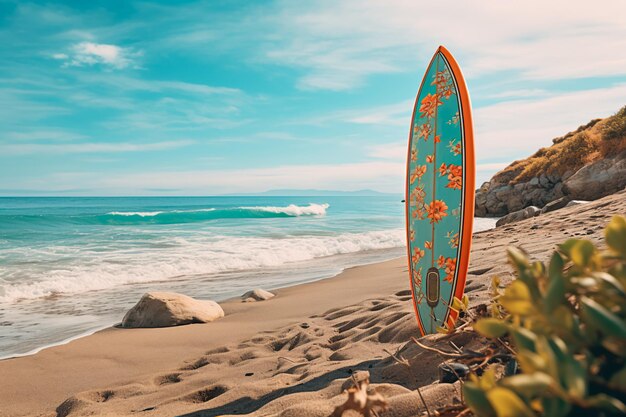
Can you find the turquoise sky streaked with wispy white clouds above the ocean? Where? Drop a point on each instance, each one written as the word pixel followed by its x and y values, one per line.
pixel 213 97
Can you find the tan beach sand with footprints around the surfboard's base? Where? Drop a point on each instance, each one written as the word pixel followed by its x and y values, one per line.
pixel 288 356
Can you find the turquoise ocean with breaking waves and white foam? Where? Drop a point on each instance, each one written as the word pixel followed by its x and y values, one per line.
pixel 70 266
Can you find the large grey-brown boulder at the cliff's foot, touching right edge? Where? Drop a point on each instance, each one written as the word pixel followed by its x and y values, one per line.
pixel 599 179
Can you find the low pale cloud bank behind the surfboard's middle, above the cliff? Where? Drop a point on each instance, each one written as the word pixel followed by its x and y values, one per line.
pixel 509 129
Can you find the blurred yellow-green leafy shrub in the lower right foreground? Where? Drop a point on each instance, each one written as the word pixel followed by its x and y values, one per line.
pixel 566 323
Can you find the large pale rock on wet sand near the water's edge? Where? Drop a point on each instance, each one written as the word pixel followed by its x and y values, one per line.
pixel 164 309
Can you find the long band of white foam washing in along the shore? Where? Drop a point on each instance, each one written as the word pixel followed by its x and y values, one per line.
pixel 98 270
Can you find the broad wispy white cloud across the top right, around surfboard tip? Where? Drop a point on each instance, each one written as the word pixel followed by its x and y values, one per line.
pixel 338 44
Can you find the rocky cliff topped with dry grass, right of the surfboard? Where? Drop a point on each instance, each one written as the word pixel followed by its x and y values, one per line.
pixel 586 164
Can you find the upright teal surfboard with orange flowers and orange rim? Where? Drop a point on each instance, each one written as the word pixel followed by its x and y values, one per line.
pixel 440 182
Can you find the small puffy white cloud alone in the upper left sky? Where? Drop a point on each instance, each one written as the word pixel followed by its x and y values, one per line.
pixel 90 53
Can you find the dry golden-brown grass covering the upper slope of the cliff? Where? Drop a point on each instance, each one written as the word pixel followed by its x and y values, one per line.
pixel 598 139
